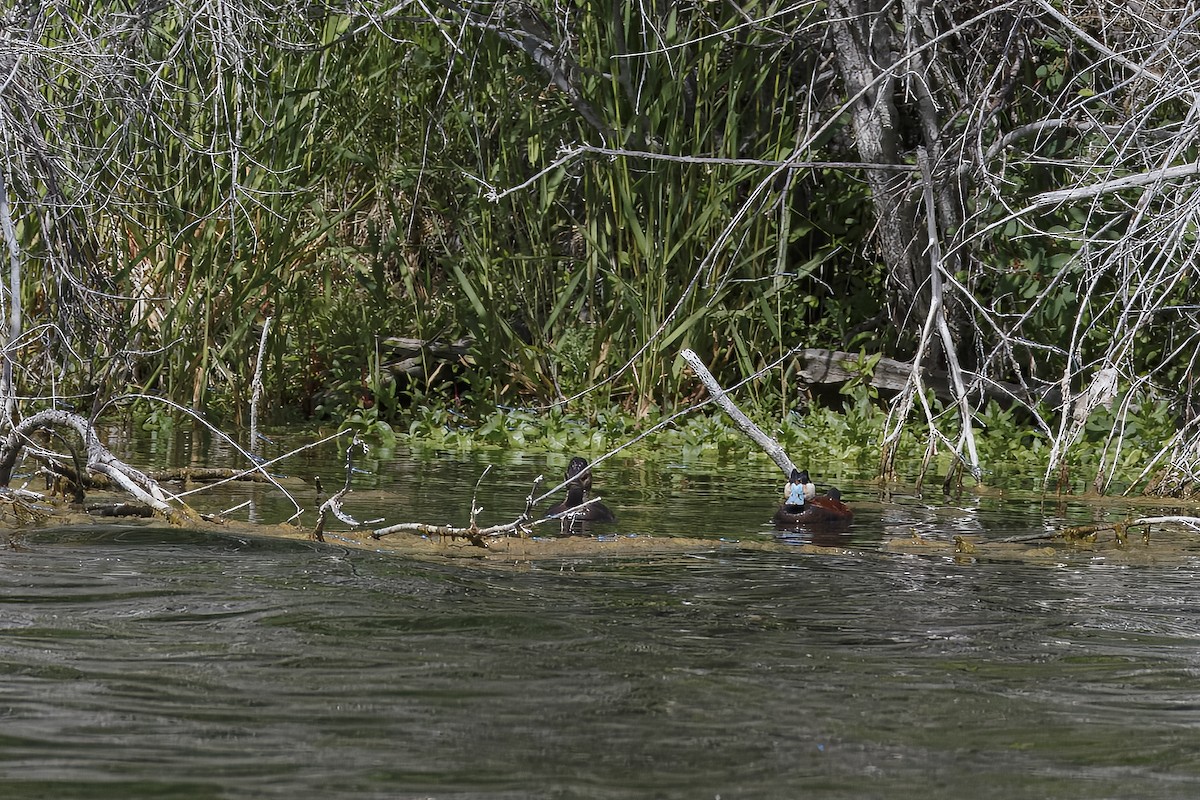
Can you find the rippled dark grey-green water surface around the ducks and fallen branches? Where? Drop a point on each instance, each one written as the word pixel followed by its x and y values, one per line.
pixel 140 661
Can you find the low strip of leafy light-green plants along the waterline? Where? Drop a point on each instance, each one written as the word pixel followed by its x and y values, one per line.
pixel 844 441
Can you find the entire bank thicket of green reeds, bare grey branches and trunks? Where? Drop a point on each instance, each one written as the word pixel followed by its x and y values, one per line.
pixel 557 197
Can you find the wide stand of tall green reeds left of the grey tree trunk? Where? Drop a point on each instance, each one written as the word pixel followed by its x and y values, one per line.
pixel 335 187
